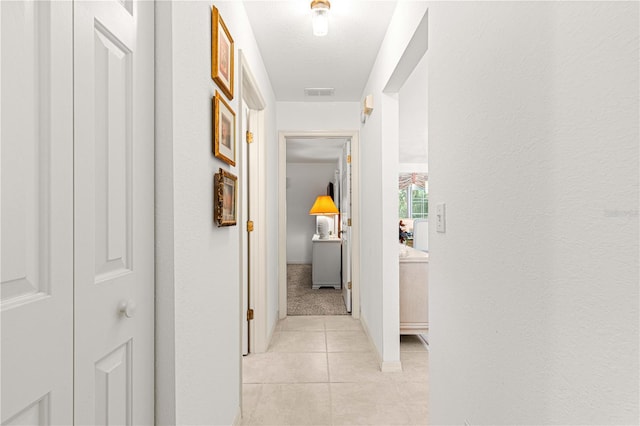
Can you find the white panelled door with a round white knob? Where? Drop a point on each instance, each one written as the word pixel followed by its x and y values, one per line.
pixel 114 212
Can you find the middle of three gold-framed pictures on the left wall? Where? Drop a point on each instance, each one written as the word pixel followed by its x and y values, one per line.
pixel 224 130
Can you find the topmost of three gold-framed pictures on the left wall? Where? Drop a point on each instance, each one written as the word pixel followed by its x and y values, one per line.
pixel 221 54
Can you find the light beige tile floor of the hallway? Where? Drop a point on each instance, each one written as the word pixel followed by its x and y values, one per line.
pixel 321 370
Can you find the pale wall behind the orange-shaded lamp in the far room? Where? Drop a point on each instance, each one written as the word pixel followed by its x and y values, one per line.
pixel 305 183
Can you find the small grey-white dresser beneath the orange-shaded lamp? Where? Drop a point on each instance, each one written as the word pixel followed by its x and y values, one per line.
pixel 326 260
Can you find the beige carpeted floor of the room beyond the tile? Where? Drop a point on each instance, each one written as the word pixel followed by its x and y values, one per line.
pixel 302 300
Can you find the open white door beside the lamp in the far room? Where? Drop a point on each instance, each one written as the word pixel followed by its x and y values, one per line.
pixel 345 215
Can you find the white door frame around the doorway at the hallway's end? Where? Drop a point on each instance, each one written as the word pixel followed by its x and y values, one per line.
pixel 353 135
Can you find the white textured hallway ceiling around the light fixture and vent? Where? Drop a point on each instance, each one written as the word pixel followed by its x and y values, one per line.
pixel 295 59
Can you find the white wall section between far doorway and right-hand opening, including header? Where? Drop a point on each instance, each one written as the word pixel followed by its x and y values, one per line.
pixel 379 191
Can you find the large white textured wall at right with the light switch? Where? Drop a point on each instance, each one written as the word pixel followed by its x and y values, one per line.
pixel 533 145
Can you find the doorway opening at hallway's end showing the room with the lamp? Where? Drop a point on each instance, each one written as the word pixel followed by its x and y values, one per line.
pixel 316 238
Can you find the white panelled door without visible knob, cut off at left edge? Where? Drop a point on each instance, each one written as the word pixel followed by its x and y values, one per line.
pixel 37 212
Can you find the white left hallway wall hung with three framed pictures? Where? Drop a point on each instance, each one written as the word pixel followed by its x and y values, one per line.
pixel 198 297
